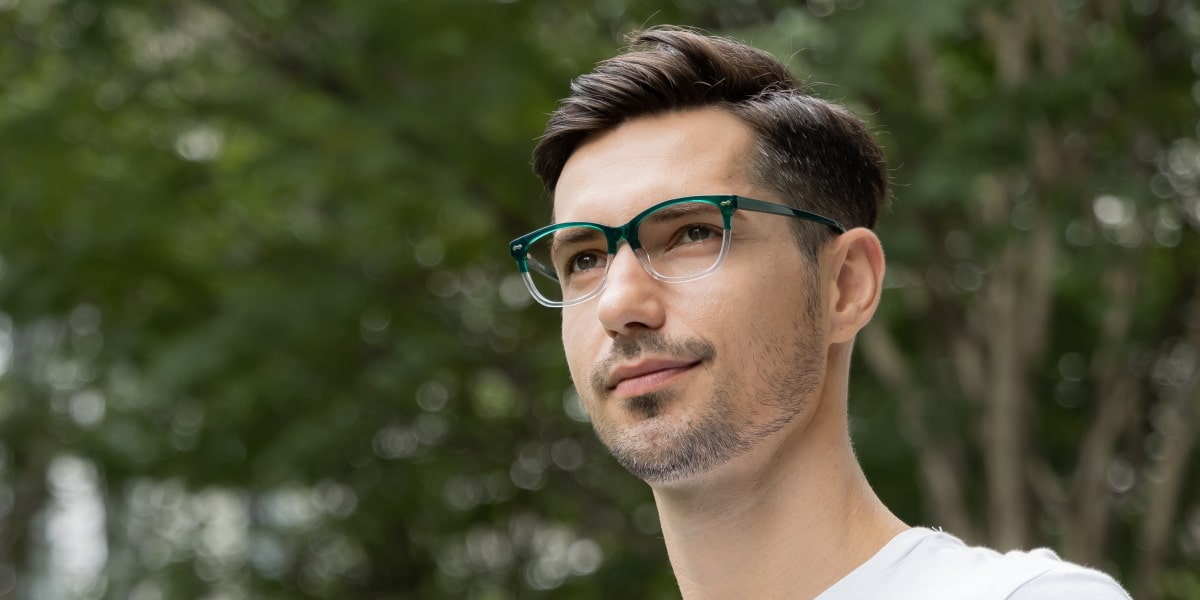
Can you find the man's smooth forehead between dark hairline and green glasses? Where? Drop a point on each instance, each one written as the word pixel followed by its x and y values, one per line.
pixel 619 173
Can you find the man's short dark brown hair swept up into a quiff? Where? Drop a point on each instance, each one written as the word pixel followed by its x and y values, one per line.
pixel 814 154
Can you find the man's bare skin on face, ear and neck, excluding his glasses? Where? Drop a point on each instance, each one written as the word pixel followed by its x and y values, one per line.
pixel 737 417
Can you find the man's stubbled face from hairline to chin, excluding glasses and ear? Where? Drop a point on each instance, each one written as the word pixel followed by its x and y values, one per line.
pixel 680 379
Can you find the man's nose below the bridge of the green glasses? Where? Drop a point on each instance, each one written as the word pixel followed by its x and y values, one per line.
pixel 632 298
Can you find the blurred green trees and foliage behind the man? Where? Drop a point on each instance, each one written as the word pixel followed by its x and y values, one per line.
pixel 261 337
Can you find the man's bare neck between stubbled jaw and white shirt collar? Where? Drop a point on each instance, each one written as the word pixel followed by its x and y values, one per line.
pixel 793 519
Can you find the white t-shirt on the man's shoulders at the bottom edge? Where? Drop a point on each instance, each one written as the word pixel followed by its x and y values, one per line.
pixel 923 565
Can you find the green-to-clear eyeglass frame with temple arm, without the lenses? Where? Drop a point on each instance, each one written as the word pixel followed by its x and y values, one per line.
pixel 628 232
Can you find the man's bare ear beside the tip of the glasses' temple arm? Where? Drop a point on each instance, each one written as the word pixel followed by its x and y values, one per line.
pixel 856 272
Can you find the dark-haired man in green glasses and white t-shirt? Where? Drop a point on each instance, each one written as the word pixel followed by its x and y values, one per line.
pixel 713 260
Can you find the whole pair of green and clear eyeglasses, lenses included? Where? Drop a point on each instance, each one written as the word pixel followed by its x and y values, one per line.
pixel 677 241
